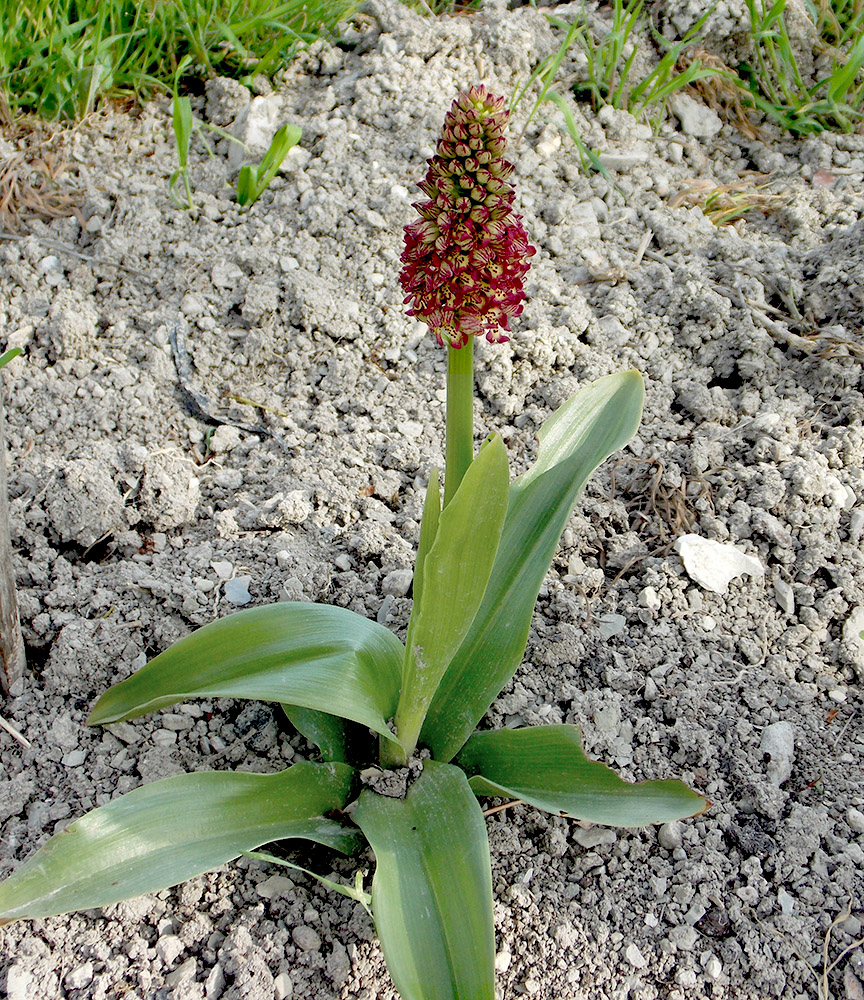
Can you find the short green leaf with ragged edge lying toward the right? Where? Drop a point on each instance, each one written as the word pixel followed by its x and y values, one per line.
pixel 545 766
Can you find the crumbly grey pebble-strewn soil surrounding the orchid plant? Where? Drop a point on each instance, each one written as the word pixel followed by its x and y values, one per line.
pixel 135 520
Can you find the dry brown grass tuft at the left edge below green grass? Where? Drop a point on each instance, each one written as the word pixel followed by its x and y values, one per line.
pixel 33 182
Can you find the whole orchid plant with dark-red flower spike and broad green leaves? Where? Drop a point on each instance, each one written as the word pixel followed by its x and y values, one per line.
pixel 402 761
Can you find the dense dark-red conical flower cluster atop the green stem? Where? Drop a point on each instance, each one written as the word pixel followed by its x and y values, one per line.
pixel 465 259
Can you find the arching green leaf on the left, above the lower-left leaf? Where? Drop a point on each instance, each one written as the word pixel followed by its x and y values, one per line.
pixel 310 655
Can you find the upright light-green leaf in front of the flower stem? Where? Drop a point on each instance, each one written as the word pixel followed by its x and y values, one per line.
pixel 455 573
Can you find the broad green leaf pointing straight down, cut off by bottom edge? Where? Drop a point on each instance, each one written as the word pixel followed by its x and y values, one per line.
pixel 432 891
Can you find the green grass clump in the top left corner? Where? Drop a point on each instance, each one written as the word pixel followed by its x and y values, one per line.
pixel 60 59
